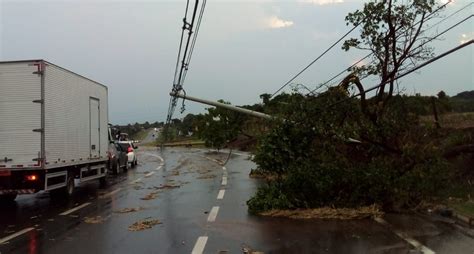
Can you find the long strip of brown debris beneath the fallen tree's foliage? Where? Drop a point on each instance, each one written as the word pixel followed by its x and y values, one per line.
pixel 328 213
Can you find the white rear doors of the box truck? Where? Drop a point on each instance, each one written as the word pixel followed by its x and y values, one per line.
pixel 20 114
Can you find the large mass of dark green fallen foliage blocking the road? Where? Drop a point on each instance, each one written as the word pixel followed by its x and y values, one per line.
pixel 395 165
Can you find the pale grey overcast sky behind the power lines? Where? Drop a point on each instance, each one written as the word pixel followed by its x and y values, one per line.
pixel 245 48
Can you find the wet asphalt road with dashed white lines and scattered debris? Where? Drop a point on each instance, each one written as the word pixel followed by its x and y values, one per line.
pixel 202 206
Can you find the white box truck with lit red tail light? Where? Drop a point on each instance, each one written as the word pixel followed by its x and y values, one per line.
pixel 53 129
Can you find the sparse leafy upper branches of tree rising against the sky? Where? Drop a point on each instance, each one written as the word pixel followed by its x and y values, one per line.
pixel 392 31
